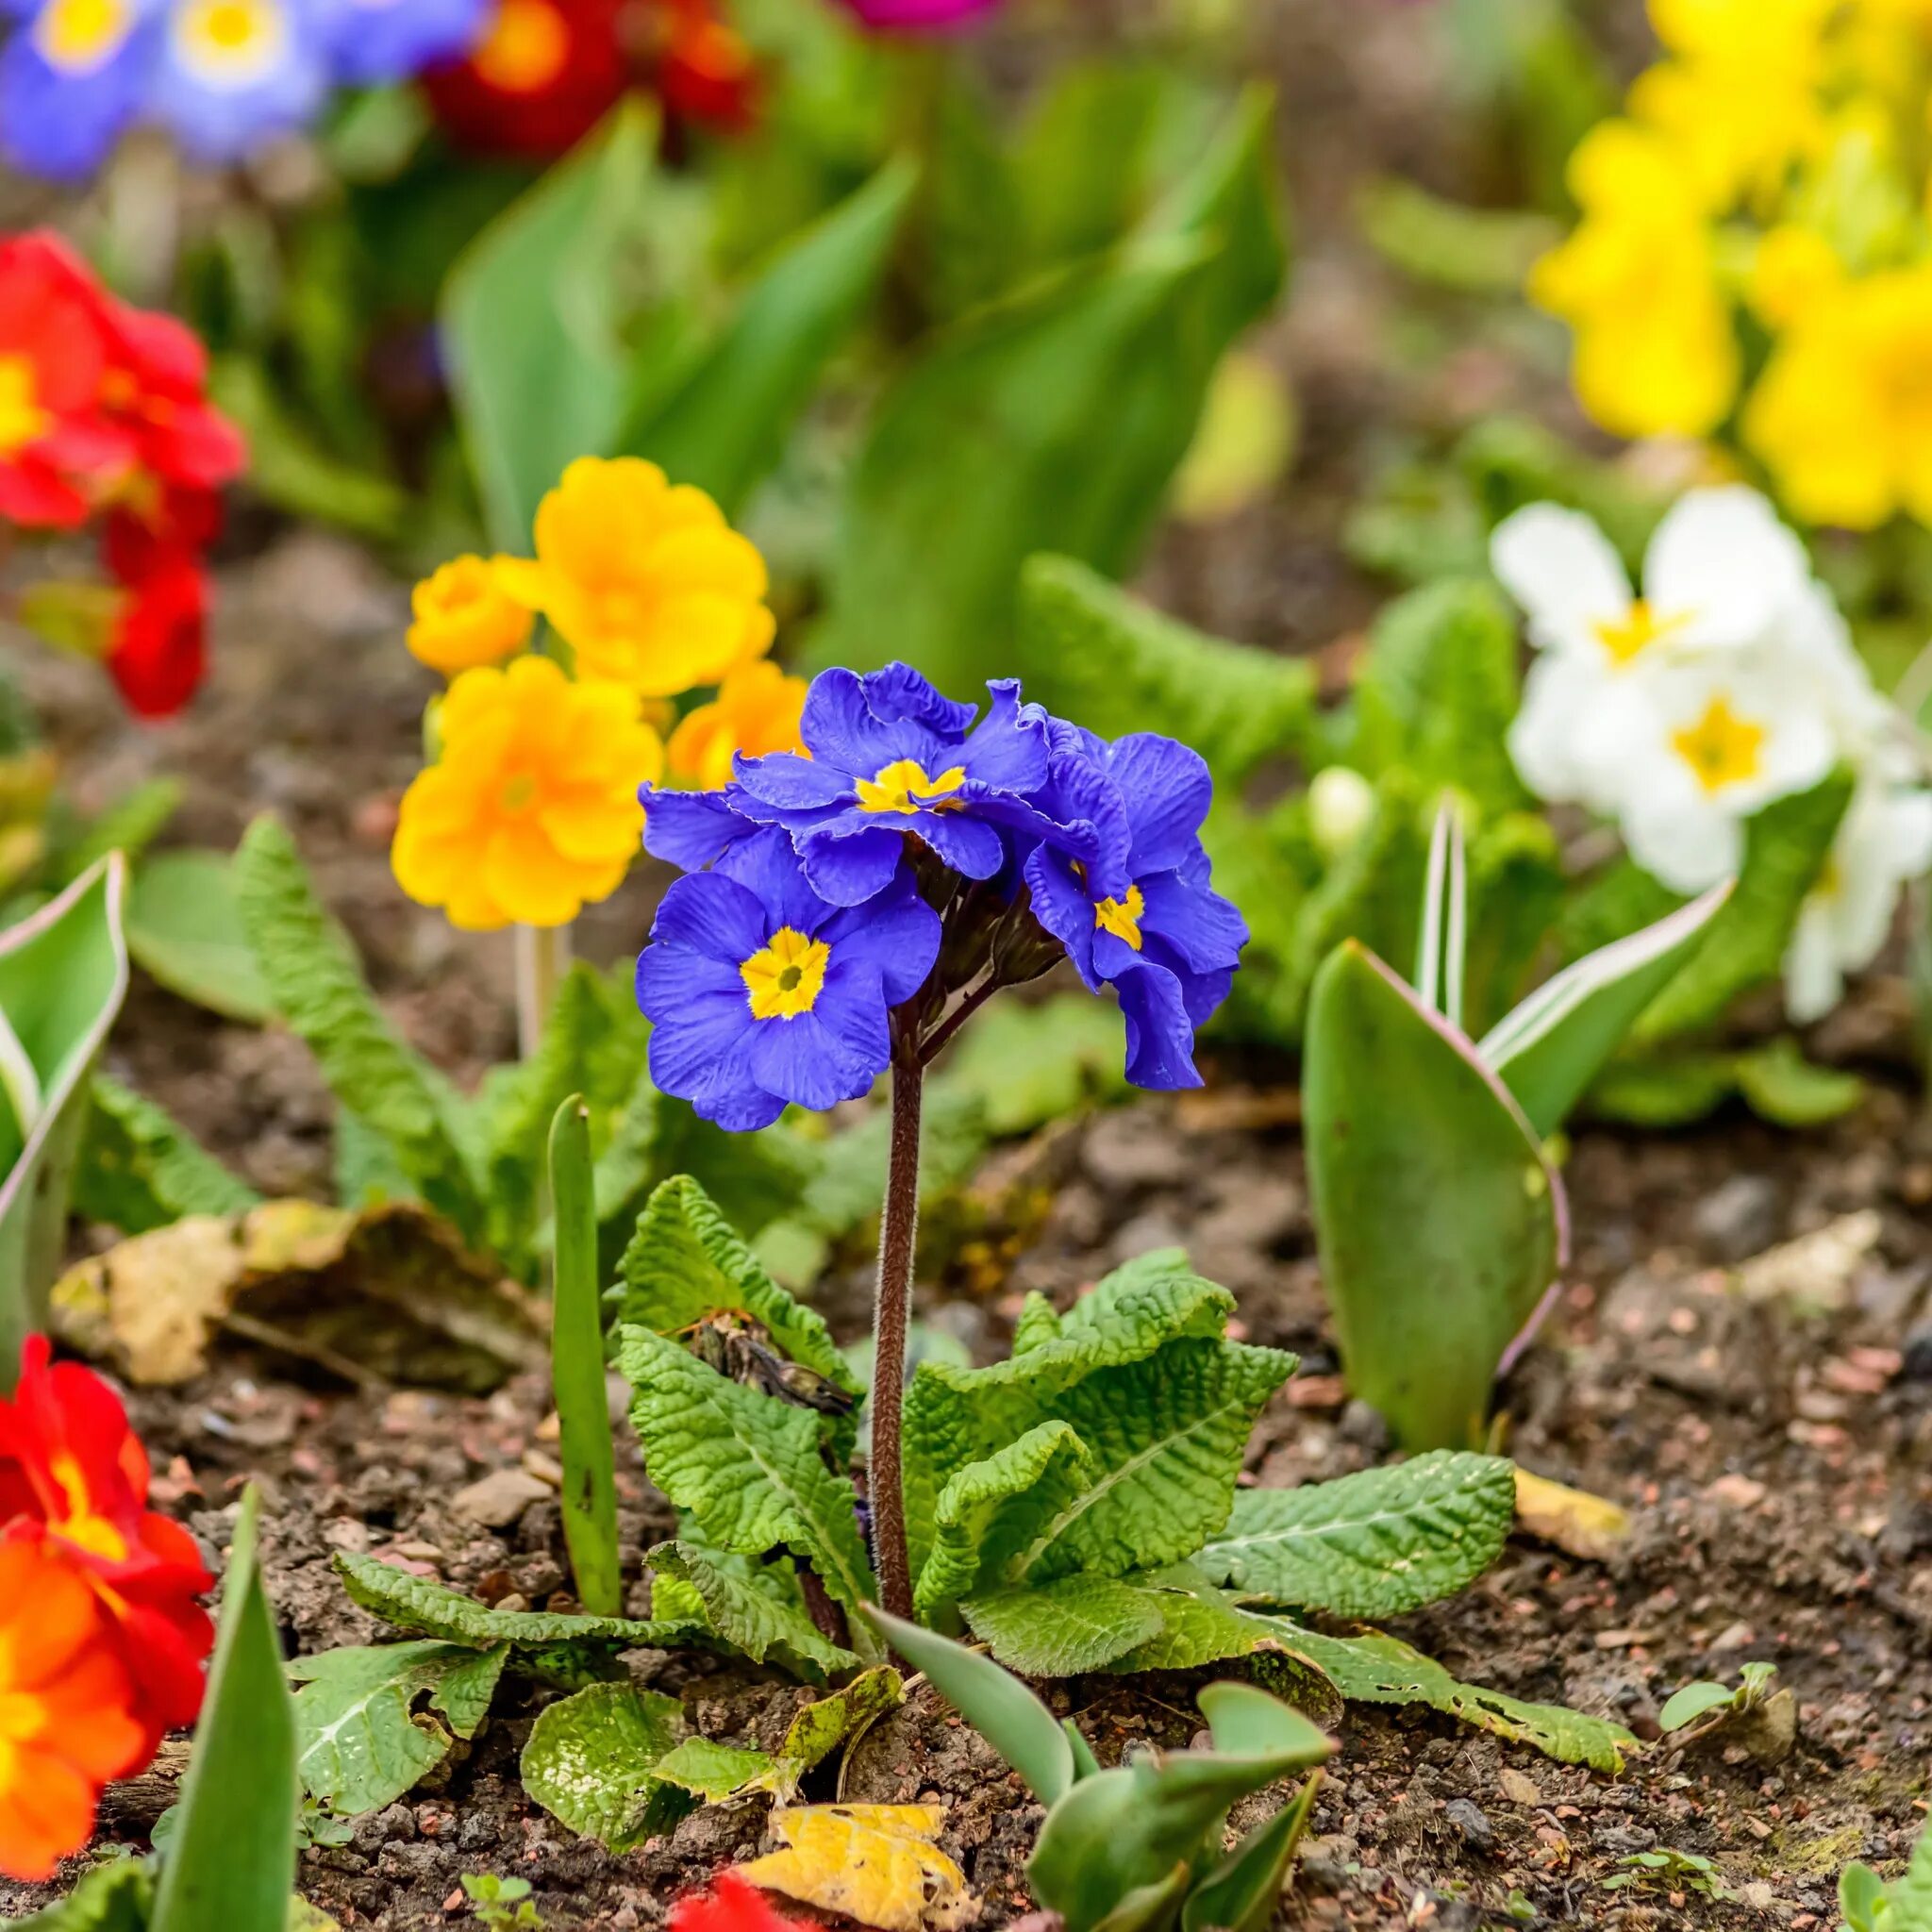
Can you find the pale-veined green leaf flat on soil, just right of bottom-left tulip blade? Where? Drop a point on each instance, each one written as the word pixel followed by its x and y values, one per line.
pixel 358 1738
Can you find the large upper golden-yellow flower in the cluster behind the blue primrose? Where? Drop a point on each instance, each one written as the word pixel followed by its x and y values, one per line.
pixel 644 581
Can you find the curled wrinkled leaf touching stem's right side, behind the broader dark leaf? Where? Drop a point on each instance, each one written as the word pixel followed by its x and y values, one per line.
pixel 963 1415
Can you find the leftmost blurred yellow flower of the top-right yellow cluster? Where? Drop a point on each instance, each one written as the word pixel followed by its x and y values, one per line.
pixel 1639 287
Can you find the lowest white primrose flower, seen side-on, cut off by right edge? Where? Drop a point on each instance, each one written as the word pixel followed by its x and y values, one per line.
pixel 1883 843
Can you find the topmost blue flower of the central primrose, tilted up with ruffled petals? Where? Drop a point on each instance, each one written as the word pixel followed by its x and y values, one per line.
pixel 890 756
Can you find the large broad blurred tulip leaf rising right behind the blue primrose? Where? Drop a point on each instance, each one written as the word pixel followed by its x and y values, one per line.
pixel 1064 412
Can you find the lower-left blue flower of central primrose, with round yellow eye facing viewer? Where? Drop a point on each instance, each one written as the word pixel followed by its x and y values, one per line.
pixel 760 994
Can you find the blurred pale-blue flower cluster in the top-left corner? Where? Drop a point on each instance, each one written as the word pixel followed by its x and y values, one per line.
pixel 221 76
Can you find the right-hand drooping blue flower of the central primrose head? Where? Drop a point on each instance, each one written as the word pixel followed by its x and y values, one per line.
pixel 1141 917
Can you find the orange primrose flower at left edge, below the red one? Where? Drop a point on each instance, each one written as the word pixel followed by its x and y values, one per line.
pixel 67 1709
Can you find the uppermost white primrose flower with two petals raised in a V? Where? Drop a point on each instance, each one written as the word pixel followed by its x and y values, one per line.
pixel 1719 579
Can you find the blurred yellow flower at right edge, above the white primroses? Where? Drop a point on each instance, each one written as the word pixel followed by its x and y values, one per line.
pixel 1844 412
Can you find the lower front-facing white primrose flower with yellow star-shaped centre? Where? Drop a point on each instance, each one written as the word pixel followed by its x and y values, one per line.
pixel 1726 737
